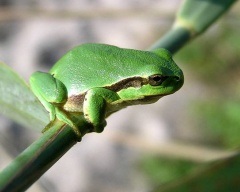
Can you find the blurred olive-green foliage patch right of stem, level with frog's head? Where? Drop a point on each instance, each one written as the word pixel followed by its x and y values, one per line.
pixel 214 57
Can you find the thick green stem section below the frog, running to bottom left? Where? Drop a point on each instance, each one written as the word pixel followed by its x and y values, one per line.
pixel 33 162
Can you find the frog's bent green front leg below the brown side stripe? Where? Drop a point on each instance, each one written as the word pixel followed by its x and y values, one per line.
pixel 95 106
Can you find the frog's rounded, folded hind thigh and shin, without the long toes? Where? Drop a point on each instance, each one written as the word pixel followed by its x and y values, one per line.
pixel 48 90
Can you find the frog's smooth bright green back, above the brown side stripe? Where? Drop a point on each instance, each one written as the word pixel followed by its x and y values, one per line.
pixel 98 65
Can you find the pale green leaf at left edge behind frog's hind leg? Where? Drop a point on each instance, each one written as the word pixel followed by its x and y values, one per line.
pixel 18 102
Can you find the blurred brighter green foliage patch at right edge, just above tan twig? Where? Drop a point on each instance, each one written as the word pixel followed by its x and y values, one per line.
pixel 220 121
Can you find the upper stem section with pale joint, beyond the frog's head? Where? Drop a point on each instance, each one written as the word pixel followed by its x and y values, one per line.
pixel 193 18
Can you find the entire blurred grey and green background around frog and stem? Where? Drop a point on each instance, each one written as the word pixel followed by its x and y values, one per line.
pixel 142 146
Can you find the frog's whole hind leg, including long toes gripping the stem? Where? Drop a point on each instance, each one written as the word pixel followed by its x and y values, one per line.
pixel 52 93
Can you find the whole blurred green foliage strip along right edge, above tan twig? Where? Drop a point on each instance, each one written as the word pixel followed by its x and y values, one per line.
pixel 214 60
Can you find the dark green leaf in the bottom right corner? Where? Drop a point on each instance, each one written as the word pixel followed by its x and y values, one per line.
pixel 223 175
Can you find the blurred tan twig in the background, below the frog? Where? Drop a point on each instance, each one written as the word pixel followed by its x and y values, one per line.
pixel 173 150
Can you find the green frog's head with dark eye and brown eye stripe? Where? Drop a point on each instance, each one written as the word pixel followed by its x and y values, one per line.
pixel 158 78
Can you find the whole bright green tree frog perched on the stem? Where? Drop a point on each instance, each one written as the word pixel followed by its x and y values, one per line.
pixel 97 80
